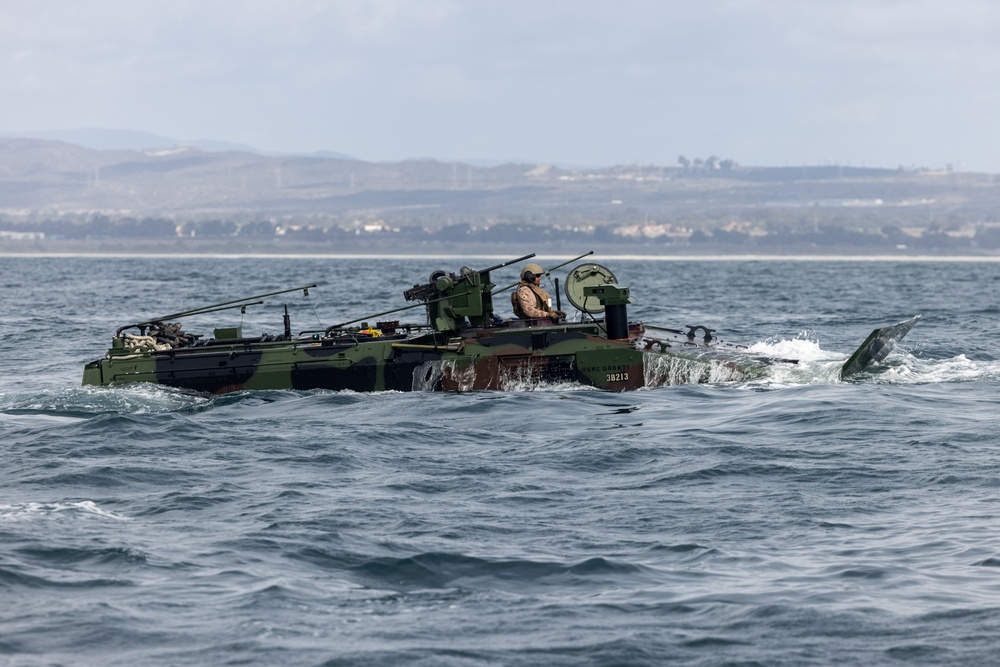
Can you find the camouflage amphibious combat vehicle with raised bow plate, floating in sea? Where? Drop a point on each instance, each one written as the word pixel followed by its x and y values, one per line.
pixel 462 345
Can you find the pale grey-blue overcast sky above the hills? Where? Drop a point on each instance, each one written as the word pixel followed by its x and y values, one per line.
pixel 879 83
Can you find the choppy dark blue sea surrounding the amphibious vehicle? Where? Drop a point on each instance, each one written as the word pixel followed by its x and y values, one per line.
pixel 790 520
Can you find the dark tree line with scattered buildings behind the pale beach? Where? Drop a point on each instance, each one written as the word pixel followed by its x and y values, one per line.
pixel 774 235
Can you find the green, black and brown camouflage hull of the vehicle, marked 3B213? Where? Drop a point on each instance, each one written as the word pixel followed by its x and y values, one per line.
pixel 481 359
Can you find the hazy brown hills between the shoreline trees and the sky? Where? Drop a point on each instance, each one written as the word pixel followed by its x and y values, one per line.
pixel 162 178
